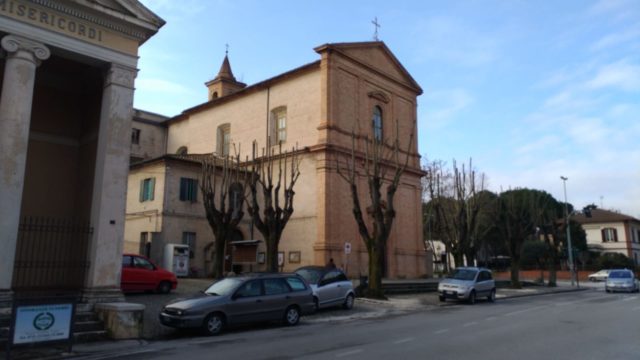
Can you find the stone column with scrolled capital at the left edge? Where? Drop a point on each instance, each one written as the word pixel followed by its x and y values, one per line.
pixel 23 56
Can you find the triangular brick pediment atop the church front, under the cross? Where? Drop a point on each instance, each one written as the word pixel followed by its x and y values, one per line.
pixel 376 55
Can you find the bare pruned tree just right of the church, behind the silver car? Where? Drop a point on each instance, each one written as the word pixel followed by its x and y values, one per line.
pixel 456 206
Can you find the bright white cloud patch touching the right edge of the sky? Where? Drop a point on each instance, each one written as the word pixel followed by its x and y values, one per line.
pixel 621 74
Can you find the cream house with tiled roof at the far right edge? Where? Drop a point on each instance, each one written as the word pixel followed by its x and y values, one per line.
pixel 612 232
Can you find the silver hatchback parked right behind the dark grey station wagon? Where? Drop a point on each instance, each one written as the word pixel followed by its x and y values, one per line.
pixel 330 286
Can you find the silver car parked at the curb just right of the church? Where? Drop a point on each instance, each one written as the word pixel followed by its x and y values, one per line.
pixel 468 283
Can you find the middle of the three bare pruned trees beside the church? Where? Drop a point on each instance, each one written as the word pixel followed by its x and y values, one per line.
pixel 274 176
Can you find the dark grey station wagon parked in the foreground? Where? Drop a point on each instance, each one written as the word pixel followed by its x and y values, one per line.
pixel 243 299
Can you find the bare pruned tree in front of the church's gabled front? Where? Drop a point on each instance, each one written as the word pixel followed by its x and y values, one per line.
pixel 380 166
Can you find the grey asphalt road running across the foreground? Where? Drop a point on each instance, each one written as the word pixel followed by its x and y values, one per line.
pixel 582 325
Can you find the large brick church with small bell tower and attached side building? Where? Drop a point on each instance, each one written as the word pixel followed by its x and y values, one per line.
pixel 354 88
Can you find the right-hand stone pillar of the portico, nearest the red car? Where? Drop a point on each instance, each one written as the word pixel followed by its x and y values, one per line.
pixel 110 187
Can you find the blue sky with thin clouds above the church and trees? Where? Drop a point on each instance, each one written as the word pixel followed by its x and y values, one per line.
pixel 530 90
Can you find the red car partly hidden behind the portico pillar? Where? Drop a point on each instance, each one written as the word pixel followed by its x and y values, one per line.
pixel 141 274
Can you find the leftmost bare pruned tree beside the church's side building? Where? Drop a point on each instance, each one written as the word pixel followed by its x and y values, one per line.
pixel 223 186
